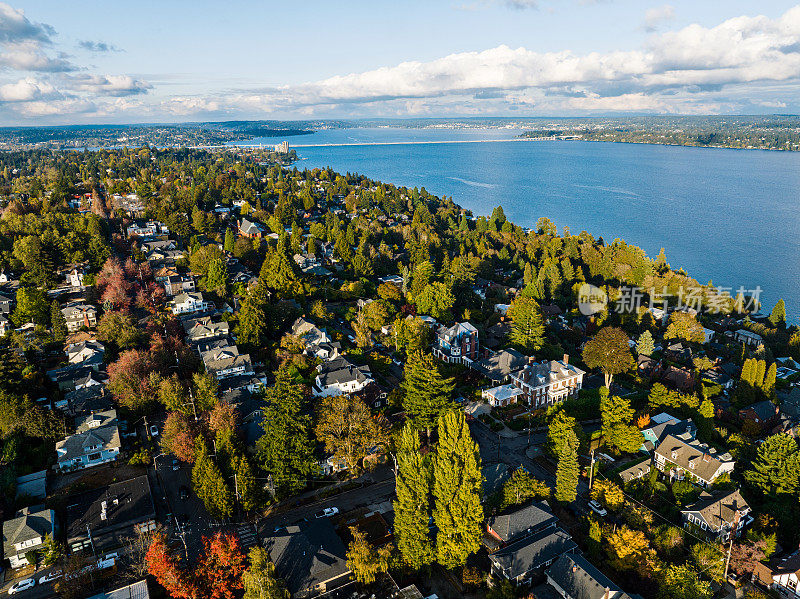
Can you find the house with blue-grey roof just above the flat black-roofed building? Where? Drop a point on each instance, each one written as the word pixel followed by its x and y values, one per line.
pixel 96 441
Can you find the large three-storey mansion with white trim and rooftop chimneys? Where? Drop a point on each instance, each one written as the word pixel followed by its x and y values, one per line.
pixel 548 382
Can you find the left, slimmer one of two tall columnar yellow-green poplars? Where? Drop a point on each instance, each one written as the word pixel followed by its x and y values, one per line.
pixel 413 505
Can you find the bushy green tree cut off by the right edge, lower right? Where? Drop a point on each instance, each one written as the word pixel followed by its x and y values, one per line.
pixel 776 468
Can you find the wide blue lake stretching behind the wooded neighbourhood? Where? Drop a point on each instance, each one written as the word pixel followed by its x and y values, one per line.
pixel 731 216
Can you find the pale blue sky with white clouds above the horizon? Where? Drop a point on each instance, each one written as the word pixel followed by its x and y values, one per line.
pixel 177 60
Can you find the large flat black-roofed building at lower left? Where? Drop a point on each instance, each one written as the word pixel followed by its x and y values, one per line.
pixel 104 518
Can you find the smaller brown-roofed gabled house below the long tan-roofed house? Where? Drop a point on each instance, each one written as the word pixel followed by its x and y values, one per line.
pixel 718 516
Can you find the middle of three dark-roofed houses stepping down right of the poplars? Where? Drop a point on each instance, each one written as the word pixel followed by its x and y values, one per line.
pixel 519 562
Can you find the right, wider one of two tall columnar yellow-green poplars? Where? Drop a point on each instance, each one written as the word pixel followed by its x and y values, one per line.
pixel 457 489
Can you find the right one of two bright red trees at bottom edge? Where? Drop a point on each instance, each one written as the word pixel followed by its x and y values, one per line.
pixel 221 566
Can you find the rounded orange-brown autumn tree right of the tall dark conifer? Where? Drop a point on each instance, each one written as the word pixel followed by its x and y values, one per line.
pixel 348 429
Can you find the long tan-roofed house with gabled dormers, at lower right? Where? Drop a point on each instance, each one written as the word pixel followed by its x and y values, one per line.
pixel 682 456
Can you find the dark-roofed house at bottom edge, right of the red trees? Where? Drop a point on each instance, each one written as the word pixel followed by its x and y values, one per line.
pixel 310 558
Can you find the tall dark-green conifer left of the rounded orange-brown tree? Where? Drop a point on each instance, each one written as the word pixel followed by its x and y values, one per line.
pixel 285 449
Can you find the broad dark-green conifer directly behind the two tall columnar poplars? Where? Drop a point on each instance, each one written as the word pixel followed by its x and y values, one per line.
pixel 427 394
